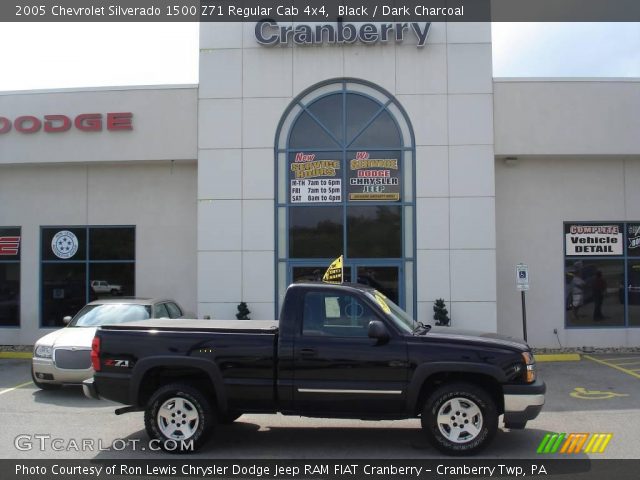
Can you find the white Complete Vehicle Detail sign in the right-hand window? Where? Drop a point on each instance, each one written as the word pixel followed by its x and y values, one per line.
pixel 593 240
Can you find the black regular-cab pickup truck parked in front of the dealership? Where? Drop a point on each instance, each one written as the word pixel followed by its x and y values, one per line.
pixel 338 351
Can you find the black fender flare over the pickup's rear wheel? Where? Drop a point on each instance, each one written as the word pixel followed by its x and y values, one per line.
pixel 208 367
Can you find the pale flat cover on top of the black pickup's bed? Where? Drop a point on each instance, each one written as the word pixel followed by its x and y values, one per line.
pixel 174 325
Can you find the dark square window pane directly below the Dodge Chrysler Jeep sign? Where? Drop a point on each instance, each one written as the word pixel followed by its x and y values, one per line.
pixel 374 232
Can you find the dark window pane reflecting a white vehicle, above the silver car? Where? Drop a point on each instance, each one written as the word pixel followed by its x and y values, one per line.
pixel 109 280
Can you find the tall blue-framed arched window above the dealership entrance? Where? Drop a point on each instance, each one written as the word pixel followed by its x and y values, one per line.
pixel 345 183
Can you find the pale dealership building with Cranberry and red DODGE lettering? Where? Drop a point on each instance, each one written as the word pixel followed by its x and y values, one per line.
pixel 390 144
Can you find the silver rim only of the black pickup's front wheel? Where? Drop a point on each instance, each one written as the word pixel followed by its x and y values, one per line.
pixel 460 420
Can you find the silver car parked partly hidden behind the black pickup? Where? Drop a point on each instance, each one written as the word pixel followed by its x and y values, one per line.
pixel 64 356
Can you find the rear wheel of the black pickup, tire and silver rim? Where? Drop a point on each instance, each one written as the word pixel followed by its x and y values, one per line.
pixel 180 417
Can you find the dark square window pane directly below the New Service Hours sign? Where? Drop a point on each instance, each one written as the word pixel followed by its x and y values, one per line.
pixel 315 232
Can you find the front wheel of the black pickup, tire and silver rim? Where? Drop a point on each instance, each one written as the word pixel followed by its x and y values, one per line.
pixel 460 419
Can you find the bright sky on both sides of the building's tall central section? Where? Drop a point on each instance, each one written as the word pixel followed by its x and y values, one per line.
pixel 59 55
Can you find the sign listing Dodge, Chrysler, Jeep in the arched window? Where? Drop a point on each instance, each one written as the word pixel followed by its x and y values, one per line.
pixel 373 179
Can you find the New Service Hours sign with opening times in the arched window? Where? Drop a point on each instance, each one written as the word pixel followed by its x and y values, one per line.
pixel 315 180
